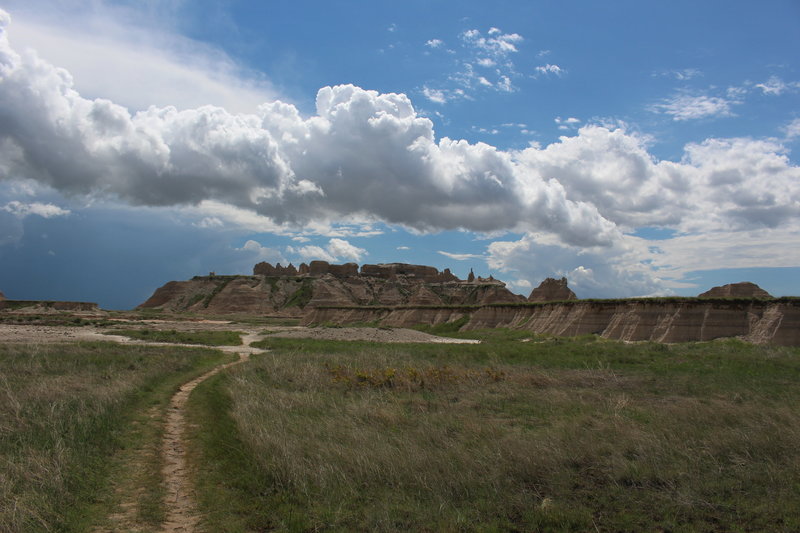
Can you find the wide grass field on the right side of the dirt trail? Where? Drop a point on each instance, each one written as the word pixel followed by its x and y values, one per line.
pixel 549 434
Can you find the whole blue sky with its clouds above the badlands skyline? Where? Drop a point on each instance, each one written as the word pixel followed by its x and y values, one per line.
pixel 636 148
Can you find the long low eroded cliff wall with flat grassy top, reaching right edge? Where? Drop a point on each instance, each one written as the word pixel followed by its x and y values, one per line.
pixel 776 321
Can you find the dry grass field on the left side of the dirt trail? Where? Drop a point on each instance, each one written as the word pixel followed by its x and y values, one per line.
pixel 67 413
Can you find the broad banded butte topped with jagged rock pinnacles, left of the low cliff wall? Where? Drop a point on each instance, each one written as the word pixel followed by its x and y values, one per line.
pixel 322 284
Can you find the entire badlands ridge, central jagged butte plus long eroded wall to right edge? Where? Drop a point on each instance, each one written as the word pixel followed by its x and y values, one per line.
pixel 402 295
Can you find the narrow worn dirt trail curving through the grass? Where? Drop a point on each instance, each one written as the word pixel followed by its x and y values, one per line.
pixel 181 511
